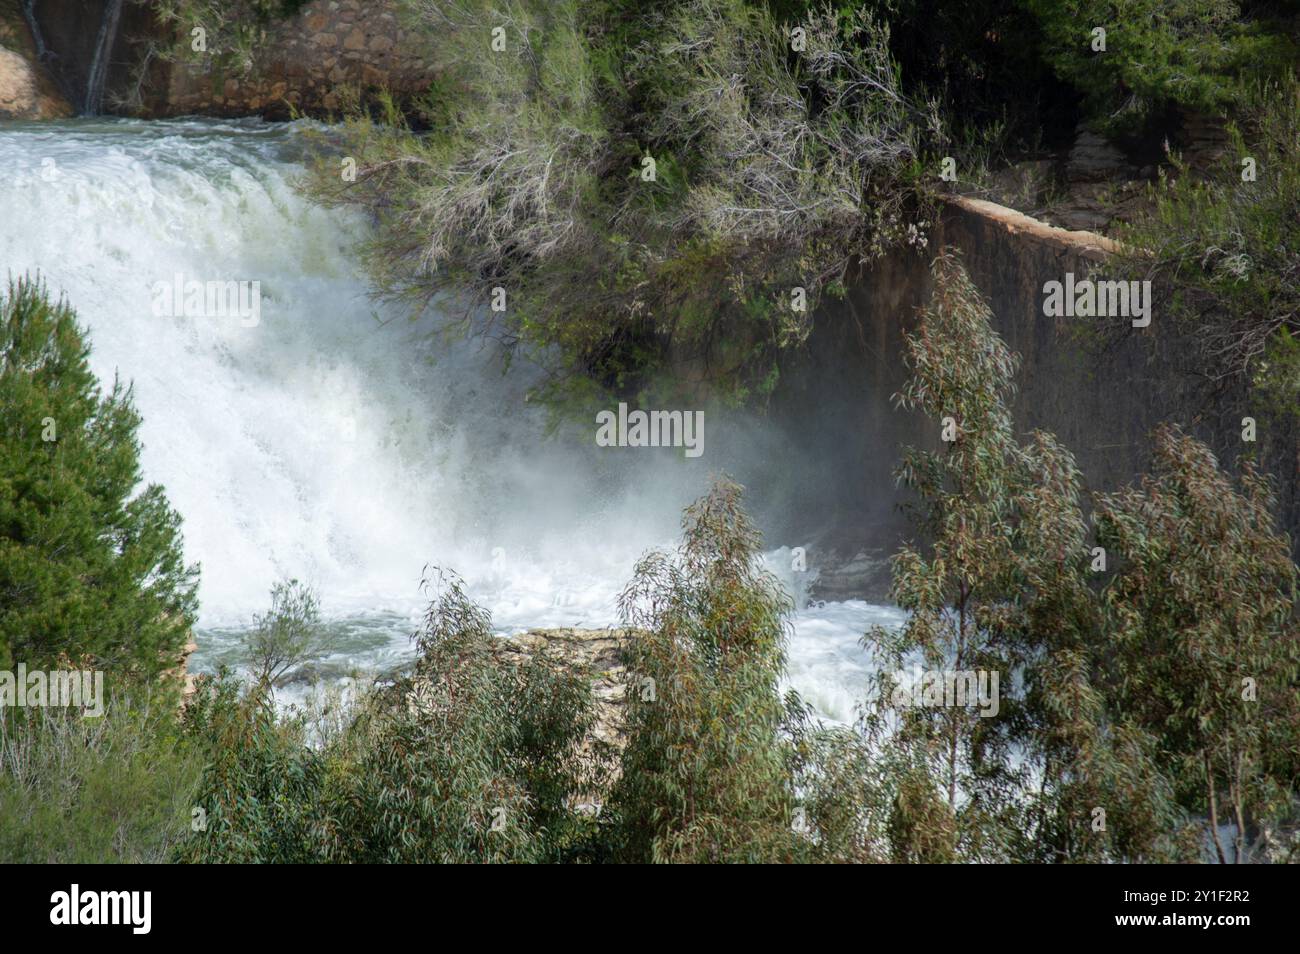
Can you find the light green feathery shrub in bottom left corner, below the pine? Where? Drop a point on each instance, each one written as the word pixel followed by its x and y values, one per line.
pixel 96 791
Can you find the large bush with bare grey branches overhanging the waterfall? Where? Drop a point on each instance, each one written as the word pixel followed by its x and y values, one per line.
pixel 773 171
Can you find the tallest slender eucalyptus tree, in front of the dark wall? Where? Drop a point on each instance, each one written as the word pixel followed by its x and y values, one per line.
pixel 998 586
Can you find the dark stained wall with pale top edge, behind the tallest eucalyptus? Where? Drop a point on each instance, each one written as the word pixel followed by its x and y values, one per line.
pixel 837 400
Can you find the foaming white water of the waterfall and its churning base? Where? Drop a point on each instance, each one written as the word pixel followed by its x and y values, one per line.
pixel 333 445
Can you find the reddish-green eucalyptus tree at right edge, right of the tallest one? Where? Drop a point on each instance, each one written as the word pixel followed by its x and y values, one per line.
pixel 1204 644
